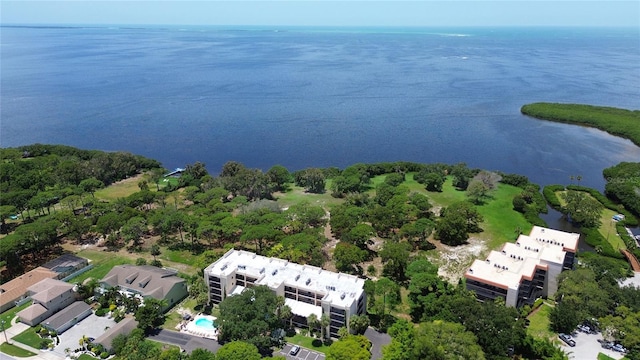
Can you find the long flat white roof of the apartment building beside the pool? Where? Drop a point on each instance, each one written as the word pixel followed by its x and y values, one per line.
pixel 338 288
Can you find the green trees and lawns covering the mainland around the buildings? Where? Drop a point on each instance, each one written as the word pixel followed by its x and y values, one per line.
pixel 412 229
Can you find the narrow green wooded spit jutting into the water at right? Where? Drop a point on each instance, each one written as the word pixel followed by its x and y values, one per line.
pixel 619 122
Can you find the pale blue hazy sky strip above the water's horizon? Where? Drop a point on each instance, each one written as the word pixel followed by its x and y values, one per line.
pixel 325 13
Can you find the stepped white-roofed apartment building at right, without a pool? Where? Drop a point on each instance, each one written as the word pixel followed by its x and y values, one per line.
pixel 525 270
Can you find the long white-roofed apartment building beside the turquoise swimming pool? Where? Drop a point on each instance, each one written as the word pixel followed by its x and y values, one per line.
pixel 307 289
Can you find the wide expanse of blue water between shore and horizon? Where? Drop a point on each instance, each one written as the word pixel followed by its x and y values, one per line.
pixel 322 97
